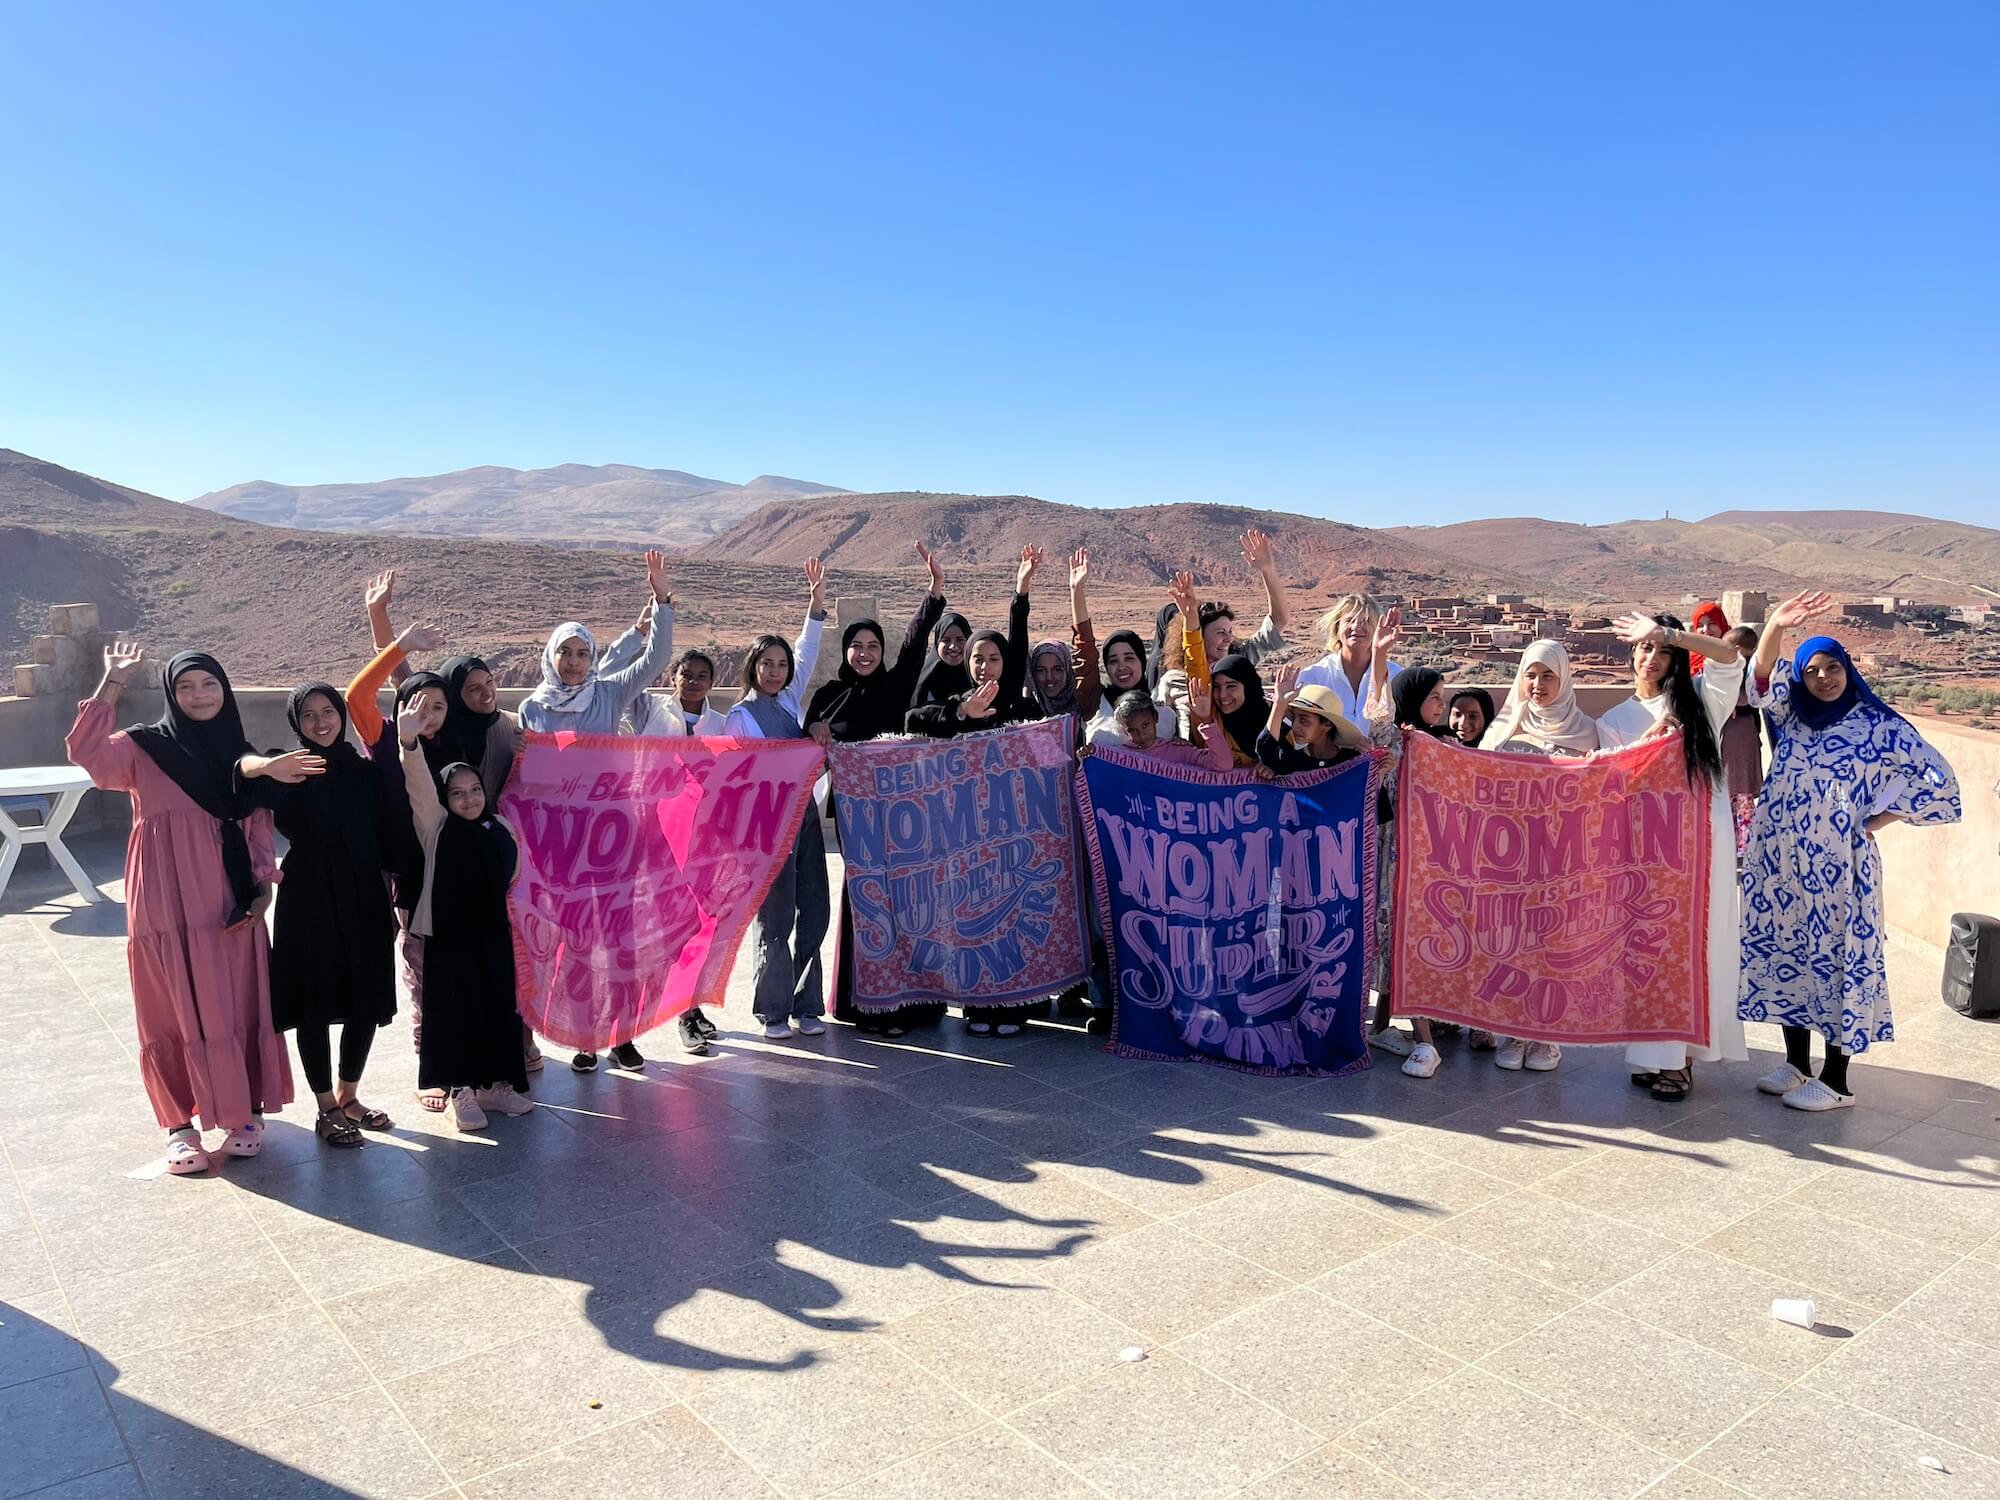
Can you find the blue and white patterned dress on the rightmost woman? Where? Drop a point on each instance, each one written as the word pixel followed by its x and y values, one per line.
pixel 1813 875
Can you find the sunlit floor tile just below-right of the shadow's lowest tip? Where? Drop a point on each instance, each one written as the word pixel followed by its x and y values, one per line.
pixel 837 1421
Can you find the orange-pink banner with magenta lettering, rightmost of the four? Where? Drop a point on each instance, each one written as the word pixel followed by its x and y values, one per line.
pixel 1555 901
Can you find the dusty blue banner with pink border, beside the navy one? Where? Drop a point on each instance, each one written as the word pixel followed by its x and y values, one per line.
pixel 961 867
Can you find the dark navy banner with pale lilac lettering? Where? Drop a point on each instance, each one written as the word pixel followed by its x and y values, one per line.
pixel 1239 911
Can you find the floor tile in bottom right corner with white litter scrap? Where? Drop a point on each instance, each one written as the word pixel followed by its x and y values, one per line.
pixel 1879 1459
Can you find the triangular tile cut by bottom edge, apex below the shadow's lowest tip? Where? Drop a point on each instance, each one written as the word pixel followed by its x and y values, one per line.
pixel 665 1455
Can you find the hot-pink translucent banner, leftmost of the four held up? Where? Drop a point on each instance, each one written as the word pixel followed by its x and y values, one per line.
pixel 641 867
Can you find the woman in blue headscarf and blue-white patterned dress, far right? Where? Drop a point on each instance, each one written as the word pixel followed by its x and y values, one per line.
pixel 1843 767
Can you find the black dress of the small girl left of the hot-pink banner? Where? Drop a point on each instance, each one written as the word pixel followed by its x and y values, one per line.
pixel 471 1025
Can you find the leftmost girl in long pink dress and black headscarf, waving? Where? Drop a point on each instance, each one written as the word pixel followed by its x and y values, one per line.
pixel 199 877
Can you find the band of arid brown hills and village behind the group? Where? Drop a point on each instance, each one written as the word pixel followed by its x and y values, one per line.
pixel 497 557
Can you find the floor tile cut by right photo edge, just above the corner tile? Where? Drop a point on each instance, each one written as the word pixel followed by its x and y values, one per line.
pixel 1915 1375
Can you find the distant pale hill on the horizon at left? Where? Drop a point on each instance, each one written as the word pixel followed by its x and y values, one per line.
pixel 575 505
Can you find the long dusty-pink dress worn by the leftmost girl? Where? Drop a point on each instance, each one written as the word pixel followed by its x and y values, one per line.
pixel 203 995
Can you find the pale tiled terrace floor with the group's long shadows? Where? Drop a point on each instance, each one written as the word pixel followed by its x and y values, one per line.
pixel 911 1271
